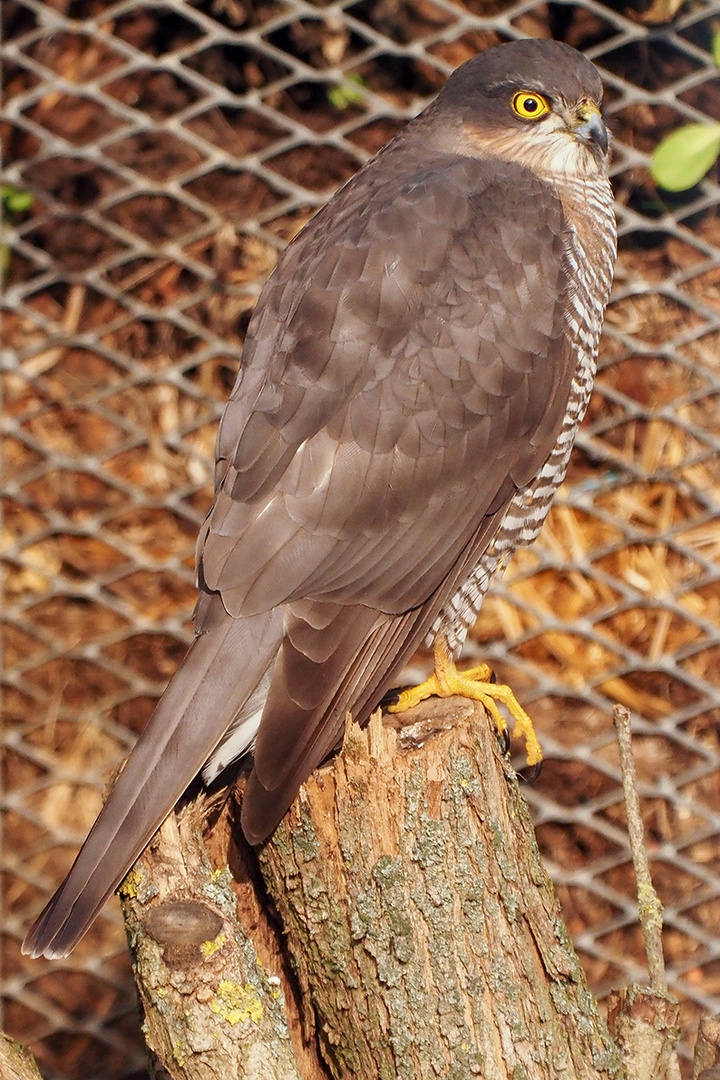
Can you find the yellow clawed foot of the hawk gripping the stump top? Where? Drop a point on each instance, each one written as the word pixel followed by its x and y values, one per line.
pixel 476 683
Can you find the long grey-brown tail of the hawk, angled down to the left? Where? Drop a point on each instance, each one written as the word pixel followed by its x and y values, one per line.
pixel 218 677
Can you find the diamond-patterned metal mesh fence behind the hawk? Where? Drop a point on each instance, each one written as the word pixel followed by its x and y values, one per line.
pixel 157 158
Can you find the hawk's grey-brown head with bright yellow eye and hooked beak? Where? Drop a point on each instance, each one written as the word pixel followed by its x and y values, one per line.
pixel 533 102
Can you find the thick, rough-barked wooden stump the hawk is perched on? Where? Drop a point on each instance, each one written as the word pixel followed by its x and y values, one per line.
pixel 423 926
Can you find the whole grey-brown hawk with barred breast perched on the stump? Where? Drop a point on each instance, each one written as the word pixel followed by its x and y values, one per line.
pixel 411 388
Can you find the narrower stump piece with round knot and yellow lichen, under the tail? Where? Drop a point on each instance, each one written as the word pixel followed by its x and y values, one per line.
pixel 212 1009
